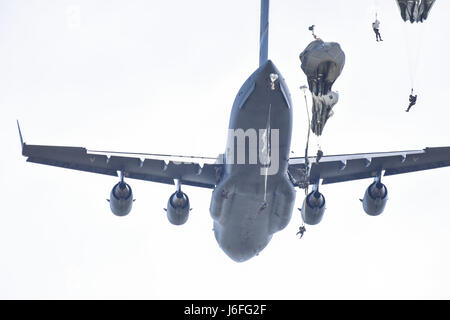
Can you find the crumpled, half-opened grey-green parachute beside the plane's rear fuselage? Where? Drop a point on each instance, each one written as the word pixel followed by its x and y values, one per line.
pixel 322 62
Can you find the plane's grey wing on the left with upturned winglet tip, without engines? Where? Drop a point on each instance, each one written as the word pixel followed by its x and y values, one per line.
pixel 133 165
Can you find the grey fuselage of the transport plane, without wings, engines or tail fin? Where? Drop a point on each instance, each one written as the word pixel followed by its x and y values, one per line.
pixel 255 198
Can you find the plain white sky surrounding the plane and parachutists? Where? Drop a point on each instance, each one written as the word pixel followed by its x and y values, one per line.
pixel 161 76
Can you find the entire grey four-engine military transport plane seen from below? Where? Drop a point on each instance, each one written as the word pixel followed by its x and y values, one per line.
pixel 254 182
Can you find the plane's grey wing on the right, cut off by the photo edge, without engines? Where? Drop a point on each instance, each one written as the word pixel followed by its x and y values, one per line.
pixel 347 167
